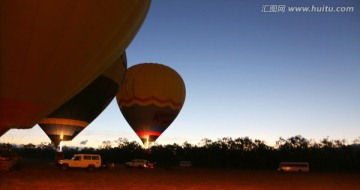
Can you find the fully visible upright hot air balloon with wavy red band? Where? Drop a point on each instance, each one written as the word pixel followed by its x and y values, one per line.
pixel 150 98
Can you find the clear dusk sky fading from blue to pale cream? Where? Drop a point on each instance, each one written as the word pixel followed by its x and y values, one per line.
pixel 249 70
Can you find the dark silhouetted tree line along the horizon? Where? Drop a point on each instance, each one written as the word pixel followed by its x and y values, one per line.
pixel 238 153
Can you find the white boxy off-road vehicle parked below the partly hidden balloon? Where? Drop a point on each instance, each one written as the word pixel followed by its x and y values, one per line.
pixel 88 161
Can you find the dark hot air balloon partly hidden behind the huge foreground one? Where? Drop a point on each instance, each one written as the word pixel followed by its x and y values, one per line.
pixel 77 113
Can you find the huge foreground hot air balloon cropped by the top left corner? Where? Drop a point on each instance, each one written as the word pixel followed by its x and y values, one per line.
pixel 51 50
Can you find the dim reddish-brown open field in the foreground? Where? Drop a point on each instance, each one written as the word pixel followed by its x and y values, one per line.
pixel 47 176
